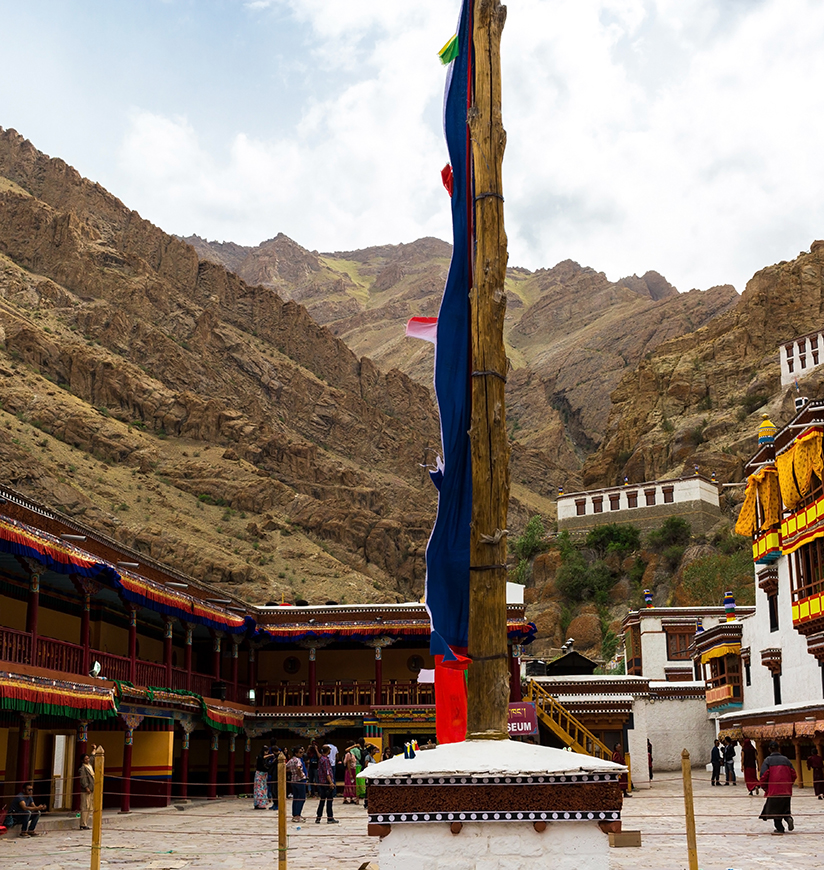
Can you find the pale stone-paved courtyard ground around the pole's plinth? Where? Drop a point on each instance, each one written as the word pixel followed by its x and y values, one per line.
pixel 230 835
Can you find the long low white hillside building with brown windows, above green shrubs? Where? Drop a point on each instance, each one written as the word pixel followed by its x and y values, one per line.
pixel 643 505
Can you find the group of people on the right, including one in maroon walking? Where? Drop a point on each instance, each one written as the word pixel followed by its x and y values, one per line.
pixel 775 778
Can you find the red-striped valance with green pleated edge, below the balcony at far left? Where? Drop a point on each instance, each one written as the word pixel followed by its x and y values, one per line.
pixel 43 697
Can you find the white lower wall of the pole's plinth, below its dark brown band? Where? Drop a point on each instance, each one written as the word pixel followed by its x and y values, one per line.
pixel 495 846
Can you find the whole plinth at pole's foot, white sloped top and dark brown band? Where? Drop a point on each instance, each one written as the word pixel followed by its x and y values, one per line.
pixel 493 805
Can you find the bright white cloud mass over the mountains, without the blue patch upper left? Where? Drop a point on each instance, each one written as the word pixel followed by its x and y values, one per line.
pixel 642 134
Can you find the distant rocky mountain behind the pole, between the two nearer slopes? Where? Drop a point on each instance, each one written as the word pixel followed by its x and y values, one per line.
pixel 571 334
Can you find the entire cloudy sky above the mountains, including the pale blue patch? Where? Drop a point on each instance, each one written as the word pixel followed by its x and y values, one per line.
pixel 683 136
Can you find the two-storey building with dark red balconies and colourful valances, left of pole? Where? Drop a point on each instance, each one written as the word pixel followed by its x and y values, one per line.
pixel 180 681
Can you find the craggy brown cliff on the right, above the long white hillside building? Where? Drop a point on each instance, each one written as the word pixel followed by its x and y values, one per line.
pixel 697 399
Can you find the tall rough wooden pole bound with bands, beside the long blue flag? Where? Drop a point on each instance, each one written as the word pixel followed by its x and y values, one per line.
pixel 488 677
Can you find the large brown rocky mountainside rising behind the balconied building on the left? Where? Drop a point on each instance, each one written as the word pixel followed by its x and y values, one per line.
pixel 213 424
